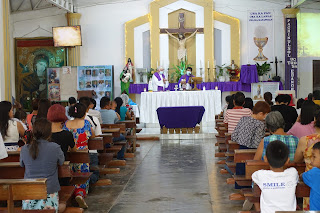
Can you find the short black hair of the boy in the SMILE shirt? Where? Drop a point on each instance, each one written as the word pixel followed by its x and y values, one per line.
pixel 277 154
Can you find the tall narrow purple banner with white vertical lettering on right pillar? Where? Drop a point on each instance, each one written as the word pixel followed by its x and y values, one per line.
pixel 291 54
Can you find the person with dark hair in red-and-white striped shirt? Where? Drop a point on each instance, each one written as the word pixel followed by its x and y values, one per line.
pixel 233 116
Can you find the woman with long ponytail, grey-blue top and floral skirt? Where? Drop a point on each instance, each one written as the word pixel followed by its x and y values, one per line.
pixel 40 159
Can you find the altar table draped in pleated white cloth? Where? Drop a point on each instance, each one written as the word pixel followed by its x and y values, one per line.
pixel 151 101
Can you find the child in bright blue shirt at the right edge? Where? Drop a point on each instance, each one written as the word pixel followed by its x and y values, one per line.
pixel 311 178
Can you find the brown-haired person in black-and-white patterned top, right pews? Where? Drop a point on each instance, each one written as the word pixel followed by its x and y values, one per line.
pixel 251 129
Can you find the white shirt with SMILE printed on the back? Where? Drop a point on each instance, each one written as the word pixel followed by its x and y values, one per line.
pixel 278 189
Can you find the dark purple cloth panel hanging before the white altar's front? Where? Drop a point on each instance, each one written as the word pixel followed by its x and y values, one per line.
pixel 180 117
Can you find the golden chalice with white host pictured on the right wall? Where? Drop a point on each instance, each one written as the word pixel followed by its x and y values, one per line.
pixel 260 40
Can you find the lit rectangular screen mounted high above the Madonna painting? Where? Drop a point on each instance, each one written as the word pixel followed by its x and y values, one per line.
pixel 67 36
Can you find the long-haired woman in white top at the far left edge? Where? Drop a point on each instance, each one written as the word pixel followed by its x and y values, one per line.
pixel 10 130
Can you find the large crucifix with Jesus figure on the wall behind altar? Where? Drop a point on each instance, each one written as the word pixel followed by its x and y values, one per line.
pixel 182 52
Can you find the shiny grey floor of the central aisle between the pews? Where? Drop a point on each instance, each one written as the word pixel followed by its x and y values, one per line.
pixel 167 176
